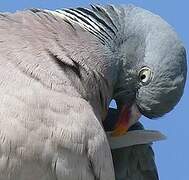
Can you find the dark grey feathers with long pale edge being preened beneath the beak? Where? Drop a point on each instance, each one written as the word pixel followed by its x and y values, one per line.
pixel 133 156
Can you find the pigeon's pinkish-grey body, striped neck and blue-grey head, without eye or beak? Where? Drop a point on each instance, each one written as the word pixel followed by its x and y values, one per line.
pixel 59 71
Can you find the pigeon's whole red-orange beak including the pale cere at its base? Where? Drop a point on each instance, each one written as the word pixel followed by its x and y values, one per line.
pixel 129 115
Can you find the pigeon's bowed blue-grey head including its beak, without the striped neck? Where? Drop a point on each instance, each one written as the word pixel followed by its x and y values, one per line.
pixel 152 71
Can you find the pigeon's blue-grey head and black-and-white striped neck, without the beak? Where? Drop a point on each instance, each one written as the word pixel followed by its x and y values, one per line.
pixel 150 56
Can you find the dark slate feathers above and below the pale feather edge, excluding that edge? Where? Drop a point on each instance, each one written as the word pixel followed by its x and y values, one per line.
pixel 132 162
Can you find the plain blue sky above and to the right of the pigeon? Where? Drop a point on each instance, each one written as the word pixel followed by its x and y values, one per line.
pixel 172 155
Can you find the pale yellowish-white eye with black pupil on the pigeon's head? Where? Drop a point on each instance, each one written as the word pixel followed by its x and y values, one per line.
pixel 145 75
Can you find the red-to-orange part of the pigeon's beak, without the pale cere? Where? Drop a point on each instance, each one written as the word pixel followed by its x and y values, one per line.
pixel 122 125
